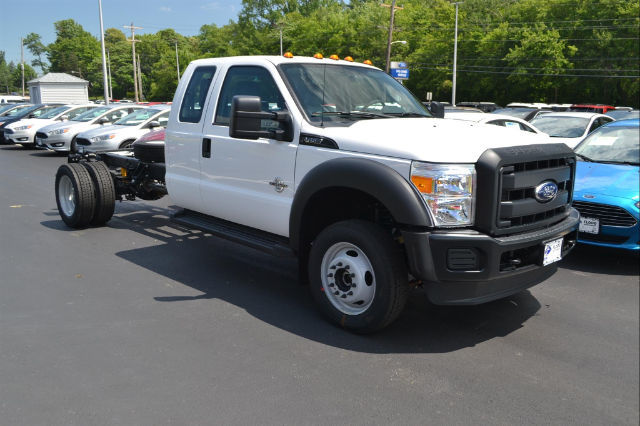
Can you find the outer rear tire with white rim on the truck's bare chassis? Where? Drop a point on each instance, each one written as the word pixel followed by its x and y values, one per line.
pixel 75 195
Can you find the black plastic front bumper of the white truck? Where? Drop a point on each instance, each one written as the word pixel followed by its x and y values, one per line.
pixel 467 267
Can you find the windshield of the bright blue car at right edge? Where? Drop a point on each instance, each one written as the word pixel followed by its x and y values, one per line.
pixel 611 145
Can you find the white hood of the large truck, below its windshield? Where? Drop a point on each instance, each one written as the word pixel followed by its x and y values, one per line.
pixel 424 139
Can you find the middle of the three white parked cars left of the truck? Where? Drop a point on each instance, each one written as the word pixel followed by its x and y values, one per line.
pixel 61 136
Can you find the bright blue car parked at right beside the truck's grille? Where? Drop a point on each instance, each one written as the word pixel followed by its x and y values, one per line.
pixel 606 187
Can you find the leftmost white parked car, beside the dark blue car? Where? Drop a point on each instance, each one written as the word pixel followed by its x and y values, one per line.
pixel 24 131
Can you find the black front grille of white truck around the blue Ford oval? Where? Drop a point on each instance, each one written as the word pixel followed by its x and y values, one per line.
pixel 507 181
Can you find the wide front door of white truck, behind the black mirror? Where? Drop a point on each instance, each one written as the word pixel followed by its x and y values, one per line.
pixel 246 181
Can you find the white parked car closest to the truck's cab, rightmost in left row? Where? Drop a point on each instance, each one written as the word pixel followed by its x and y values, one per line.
pixel 124 131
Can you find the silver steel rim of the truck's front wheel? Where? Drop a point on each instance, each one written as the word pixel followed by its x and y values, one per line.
pixel 348 278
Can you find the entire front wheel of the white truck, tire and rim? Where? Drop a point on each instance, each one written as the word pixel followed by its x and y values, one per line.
pixel 358 276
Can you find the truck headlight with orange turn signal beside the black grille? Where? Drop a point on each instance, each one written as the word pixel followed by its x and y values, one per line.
pixel 448 190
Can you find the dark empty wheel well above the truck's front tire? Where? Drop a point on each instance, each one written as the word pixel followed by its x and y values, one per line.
pixel 336 204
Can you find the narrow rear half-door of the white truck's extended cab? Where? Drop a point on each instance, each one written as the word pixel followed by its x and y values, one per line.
pixel 183 136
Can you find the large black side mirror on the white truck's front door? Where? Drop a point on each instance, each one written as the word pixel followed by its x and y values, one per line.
pixel 246 120
